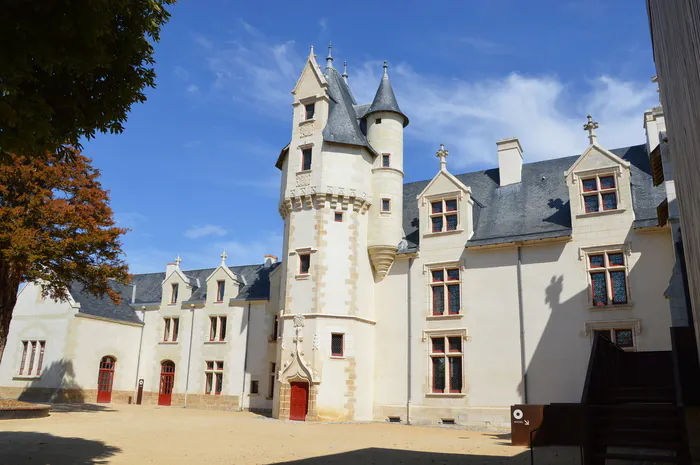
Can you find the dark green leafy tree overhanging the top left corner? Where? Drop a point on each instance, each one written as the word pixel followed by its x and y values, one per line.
pixel 71 69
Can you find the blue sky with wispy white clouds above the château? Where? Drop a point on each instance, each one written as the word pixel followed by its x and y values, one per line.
pixel 194 171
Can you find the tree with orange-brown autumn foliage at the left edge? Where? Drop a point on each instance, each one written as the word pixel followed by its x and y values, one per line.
pixel 56 228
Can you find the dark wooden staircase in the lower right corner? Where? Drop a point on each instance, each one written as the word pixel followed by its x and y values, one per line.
pixel 630 413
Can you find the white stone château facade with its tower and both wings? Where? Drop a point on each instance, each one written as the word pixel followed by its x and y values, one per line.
pixel 359 328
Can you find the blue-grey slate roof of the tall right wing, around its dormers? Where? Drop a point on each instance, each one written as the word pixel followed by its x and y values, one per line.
pixel 536 208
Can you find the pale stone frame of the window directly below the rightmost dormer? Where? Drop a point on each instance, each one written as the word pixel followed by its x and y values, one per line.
pixel 586 252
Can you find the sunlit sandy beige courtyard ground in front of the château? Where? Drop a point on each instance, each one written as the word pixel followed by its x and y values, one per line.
pixel 135 435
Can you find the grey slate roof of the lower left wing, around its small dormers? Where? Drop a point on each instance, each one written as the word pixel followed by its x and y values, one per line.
pixel 148 290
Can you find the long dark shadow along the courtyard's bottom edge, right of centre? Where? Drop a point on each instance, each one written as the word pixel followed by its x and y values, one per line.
pixel 378 456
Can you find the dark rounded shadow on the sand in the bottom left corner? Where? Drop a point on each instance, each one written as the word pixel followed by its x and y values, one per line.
pixel 19 447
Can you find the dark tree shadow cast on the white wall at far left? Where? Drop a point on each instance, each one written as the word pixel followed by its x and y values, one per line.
pixel 56 385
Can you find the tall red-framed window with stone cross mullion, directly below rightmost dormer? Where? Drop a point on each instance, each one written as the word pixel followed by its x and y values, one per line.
pixel 608 275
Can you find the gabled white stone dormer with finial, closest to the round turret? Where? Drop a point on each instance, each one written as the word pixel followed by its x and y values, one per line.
pixel 445 207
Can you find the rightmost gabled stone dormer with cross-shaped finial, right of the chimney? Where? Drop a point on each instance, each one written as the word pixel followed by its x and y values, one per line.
pixel 598 182
